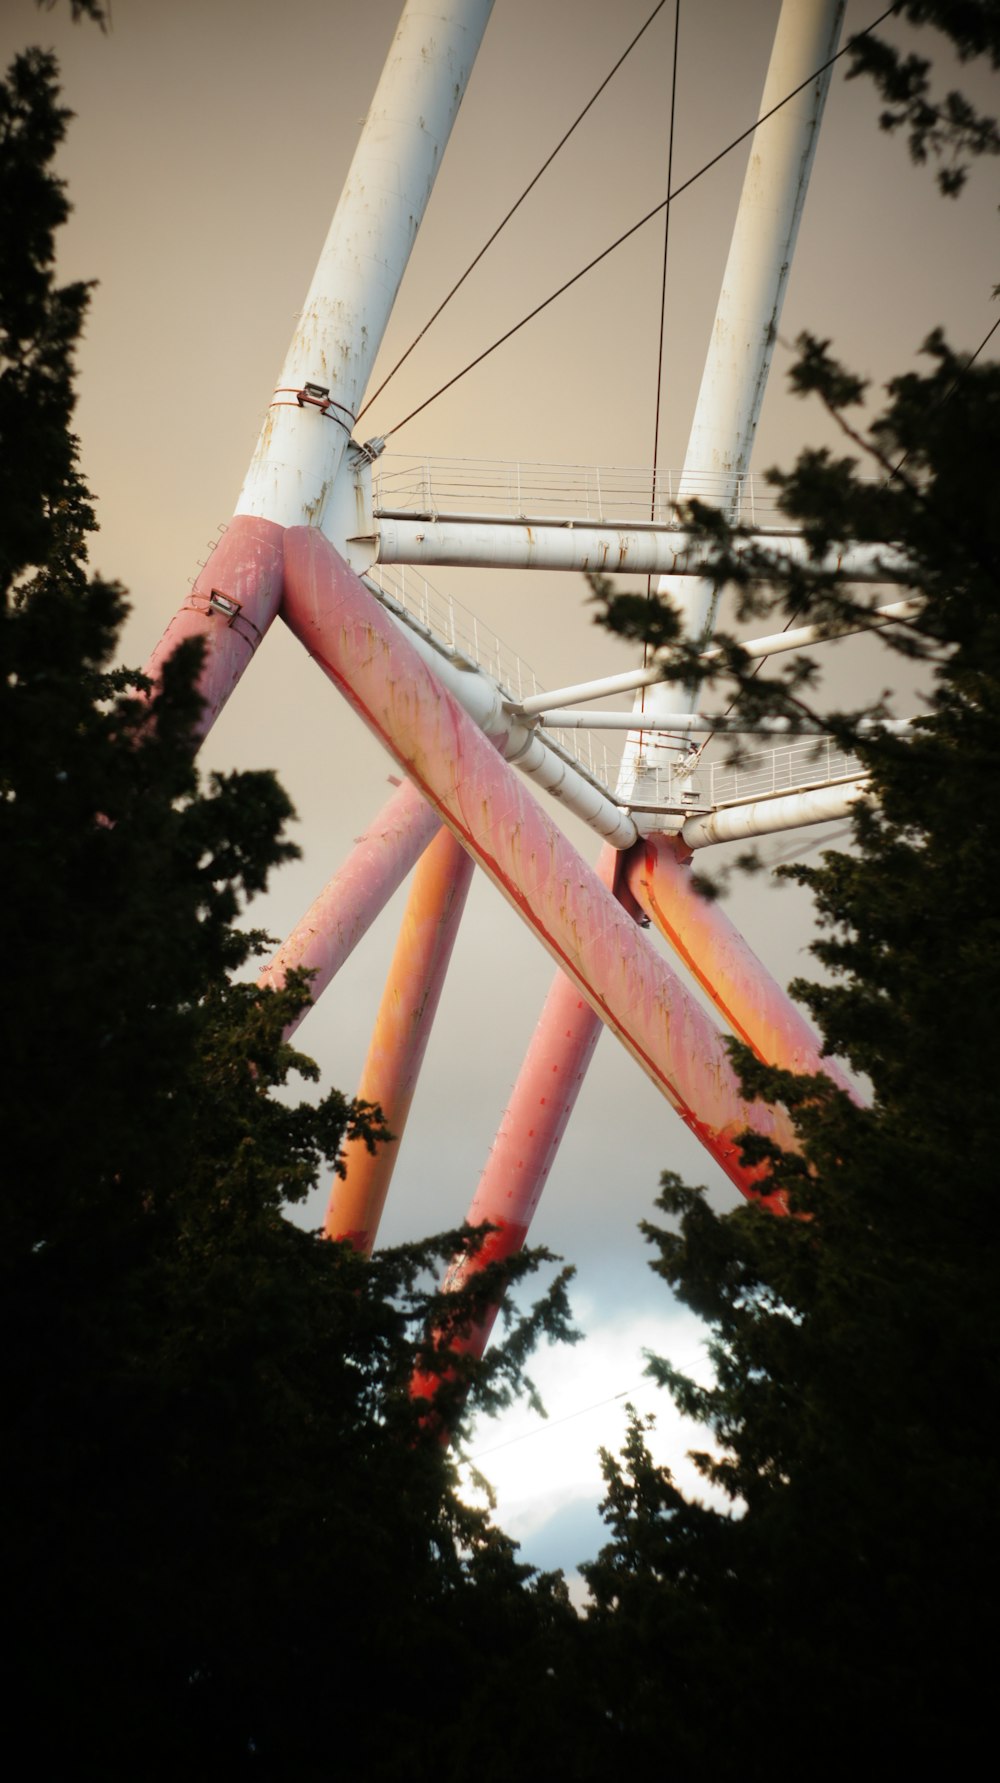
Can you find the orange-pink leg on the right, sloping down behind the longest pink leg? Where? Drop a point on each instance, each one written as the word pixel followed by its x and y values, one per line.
pixel 755 1007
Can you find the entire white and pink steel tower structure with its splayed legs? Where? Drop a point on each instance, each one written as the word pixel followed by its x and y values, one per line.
pixel 316 529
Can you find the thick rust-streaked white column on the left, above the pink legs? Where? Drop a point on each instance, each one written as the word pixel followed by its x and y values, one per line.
pixel 363 261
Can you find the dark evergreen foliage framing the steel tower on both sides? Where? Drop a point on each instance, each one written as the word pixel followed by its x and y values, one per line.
pixel 231 1540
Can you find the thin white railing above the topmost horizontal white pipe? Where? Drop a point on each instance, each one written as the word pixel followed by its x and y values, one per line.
pixel 598 495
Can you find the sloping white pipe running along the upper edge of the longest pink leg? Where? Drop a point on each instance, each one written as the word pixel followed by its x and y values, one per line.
pixel 521 746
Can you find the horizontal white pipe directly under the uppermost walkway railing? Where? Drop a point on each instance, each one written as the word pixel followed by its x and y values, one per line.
pixel 607 550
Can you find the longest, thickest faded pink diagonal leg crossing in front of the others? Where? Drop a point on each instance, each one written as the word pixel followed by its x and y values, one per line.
pixel 530 860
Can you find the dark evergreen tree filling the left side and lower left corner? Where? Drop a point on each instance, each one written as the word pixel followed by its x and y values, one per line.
pixel 224 1515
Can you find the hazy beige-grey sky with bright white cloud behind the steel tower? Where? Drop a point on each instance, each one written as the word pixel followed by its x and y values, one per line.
pixel 208 154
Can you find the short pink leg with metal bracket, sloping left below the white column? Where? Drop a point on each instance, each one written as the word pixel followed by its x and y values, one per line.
pixel 231 607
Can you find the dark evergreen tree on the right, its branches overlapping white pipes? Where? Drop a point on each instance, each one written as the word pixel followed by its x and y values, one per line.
pixel 846 1604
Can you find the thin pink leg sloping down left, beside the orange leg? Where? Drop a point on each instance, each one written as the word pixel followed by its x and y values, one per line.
pixel 357 892
